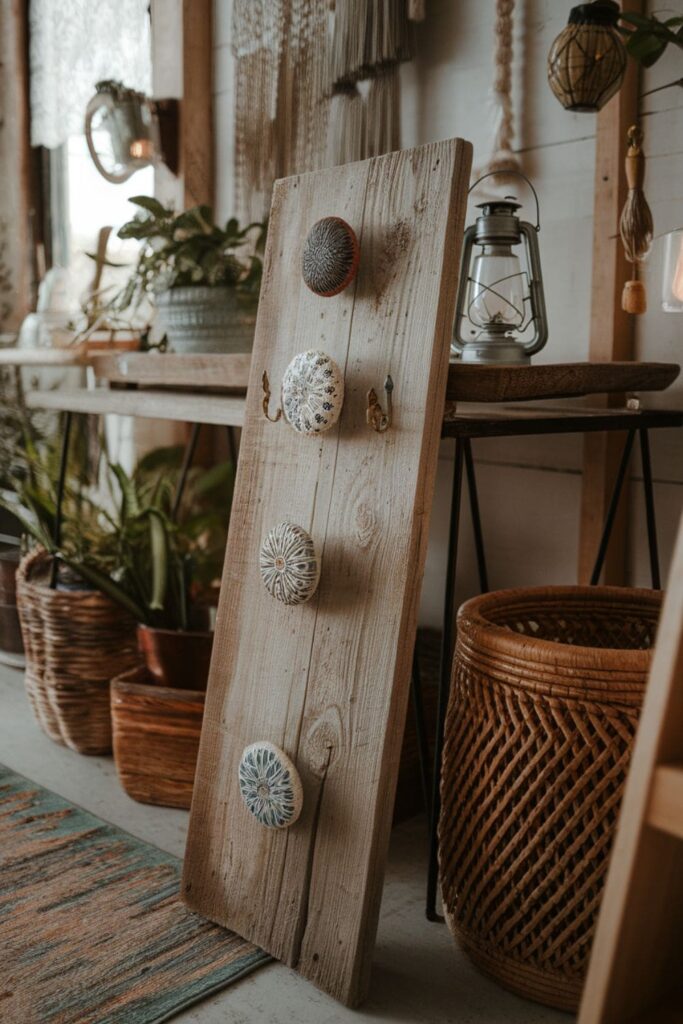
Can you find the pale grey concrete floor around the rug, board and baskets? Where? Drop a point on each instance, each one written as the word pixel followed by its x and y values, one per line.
pixel 418 976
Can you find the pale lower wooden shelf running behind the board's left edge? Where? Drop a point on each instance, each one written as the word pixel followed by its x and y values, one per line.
pixel 221 410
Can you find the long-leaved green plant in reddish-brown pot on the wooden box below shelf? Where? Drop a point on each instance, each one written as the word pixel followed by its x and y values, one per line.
pixel 168 561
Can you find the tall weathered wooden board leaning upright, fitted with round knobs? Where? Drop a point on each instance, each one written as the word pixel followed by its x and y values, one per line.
pixel 328 681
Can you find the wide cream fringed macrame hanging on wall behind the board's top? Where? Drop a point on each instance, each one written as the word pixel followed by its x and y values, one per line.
pixel 317 84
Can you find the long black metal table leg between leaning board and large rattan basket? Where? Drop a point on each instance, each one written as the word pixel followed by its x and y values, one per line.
pixel 445 679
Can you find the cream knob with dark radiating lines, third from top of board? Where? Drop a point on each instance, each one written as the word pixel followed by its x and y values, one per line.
pixel 289 565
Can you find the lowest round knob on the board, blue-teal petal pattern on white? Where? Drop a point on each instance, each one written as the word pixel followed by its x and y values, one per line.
pixel 271 786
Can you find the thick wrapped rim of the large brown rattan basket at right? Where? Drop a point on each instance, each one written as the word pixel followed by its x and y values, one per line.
pixel 473 619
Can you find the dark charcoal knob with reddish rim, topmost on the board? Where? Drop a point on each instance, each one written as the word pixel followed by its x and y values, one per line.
pixel 331 257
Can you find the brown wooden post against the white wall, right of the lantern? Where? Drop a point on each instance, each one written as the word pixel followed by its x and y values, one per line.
pixel 612 330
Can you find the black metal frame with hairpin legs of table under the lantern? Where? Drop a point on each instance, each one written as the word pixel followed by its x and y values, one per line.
pixel 508 422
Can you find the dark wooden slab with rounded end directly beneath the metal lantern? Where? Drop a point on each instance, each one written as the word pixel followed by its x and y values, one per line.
pixel 559 380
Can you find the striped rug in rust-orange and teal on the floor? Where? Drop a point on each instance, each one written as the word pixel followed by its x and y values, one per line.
pixel 93 930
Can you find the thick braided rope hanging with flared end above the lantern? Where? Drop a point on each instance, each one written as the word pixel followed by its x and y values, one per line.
pixel 503 159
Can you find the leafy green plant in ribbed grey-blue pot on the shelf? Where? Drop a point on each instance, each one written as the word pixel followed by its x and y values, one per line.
pixel 203 279
